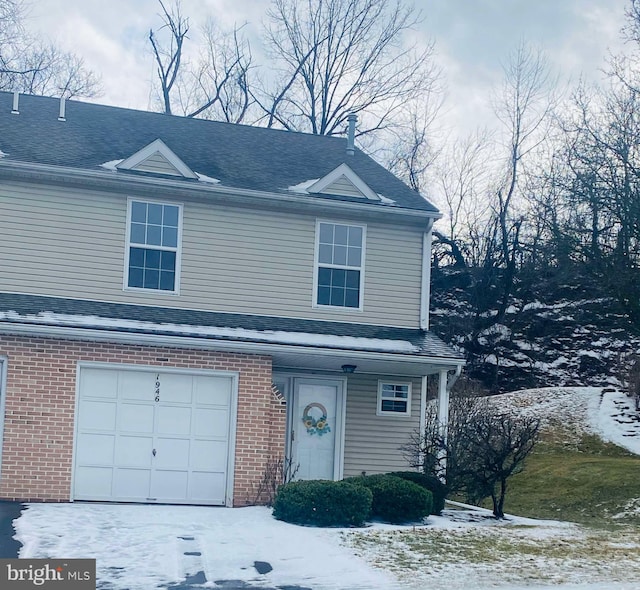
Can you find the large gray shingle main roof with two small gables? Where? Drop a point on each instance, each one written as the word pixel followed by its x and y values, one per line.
pixel 239 156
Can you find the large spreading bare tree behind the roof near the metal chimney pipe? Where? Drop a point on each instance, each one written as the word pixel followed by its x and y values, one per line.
pixel 340 57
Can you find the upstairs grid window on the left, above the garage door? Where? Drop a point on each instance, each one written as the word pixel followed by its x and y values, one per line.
pixel 153 246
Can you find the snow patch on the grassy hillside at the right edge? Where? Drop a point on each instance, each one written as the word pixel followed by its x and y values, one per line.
pixel 576 410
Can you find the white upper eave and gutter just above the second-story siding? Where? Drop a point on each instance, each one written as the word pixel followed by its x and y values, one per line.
pixel 141 185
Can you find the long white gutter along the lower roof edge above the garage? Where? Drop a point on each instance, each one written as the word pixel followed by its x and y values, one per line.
pixel 214 344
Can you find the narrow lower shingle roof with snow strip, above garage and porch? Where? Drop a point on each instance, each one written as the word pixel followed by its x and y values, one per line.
pixel 48 311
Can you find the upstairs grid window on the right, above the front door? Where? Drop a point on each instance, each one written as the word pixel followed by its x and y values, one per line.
pixel 340 264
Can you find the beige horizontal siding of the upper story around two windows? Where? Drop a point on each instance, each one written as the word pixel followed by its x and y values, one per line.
pixel 64 242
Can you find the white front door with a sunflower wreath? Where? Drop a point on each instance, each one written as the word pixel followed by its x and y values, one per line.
pixel 316 429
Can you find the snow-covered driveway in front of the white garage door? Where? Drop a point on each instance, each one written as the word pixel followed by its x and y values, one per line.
pixel 138 547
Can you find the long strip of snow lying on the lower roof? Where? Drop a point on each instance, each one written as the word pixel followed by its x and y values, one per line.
pixel 242 334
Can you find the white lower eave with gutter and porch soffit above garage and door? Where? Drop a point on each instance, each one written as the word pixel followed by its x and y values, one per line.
pixel 319 359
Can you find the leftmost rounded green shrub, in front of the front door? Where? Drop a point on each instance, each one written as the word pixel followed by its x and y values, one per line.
pixel 323 503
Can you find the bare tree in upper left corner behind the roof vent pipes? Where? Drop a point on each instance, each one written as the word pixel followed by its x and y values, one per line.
pixel 35 66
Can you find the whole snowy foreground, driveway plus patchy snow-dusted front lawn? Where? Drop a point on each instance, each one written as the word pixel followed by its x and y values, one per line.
pixel 140 547
